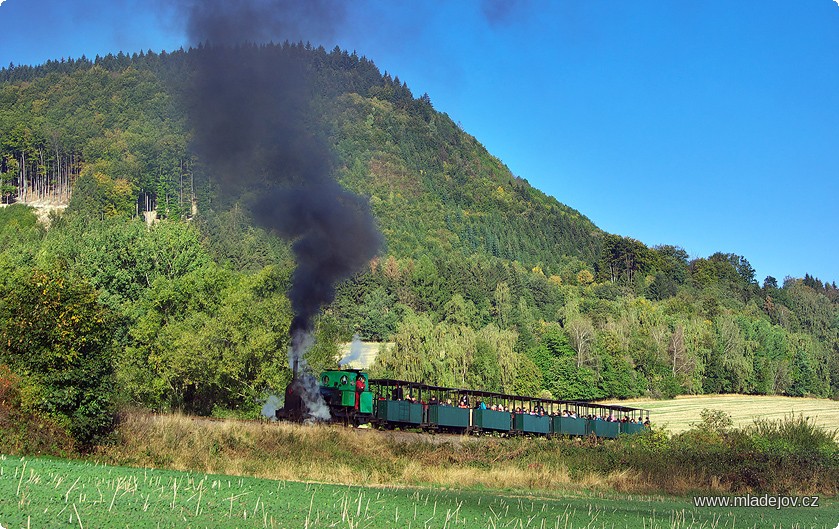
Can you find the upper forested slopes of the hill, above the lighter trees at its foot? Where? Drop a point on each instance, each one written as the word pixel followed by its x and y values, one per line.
pixel 434 187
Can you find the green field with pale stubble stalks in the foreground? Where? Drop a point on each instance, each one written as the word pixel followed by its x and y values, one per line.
pixel 61 493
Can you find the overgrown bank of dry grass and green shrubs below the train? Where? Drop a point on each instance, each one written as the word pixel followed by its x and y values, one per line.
pixel 790 456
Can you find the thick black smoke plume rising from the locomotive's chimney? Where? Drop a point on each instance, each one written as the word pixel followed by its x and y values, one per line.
pixel 255 132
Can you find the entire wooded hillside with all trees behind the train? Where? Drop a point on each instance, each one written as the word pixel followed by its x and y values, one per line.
pixel 484 280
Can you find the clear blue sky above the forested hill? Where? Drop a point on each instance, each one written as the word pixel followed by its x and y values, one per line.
pixel 709 125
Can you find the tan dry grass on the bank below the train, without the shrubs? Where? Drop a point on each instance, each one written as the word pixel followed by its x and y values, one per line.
pixel 331 454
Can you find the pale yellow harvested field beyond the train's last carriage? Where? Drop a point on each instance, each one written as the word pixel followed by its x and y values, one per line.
pixel 678 414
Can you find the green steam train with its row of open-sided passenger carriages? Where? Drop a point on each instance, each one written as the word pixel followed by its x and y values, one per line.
pixel 352 398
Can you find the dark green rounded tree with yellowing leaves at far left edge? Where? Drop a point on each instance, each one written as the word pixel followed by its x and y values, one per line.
pixel 59 337
